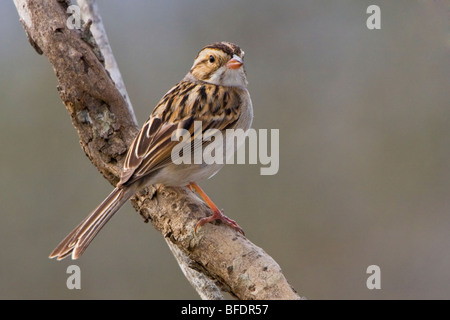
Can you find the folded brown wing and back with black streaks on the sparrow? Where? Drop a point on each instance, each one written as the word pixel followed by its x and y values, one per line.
pixel 217 107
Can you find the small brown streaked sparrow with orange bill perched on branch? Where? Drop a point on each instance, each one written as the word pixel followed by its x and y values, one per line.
pixel 213 92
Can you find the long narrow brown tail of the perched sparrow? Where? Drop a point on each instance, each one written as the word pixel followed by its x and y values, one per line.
pixel 79 239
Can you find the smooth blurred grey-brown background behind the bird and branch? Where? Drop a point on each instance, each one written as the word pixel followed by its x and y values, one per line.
pixel 364 119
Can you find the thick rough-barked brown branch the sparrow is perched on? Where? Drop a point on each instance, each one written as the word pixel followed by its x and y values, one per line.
pixel 106 128
